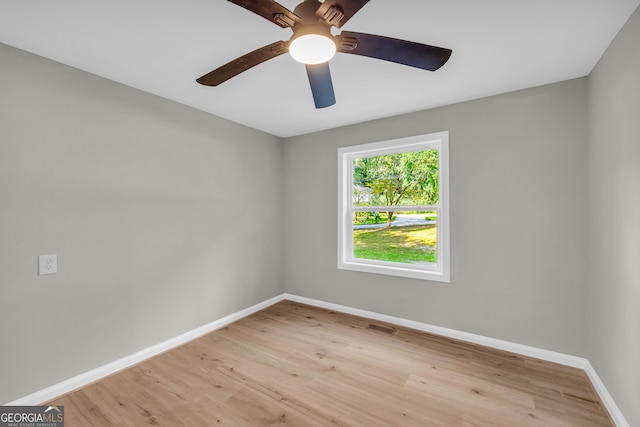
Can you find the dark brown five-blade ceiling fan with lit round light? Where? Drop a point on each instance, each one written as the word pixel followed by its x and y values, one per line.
pixel 313 44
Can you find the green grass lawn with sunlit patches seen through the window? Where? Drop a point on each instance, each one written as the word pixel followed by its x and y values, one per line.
pixel 410 244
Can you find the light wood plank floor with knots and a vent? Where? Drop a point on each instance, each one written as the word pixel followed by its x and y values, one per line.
pixel 305 366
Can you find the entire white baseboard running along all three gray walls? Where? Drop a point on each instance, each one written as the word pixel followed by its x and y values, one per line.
pixel 94 375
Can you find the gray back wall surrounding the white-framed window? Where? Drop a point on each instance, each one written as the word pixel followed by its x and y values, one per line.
pixel 519 211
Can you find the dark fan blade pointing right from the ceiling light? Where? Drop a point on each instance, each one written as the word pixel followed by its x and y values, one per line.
pixel 388 49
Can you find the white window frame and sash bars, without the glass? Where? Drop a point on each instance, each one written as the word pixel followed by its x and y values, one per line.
pixel 438 271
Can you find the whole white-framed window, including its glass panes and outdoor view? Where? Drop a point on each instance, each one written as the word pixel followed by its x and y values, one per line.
pixel 393 205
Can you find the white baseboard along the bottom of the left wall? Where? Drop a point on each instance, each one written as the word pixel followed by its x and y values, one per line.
pixel 94 375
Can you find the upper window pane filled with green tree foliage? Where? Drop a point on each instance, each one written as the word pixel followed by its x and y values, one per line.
pixel 401 179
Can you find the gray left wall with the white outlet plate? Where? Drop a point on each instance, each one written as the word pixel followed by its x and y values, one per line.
pixel 150 206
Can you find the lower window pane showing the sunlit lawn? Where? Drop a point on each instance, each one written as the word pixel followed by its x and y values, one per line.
pixel 409 238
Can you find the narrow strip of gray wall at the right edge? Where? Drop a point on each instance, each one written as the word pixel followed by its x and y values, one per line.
pixel 614 170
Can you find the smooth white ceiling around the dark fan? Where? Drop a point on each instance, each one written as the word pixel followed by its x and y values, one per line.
pixel 162 46
